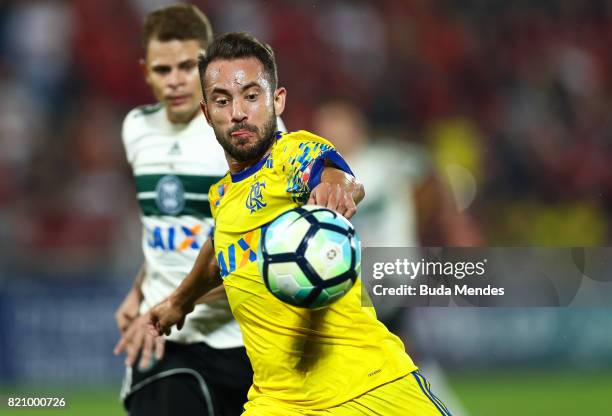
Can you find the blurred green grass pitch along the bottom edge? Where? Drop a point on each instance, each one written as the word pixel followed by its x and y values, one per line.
pixel 498 393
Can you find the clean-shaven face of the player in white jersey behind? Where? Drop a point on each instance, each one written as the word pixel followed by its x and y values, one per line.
pixel 171 70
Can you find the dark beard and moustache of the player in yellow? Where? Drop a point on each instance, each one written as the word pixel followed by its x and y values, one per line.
pixel 250 153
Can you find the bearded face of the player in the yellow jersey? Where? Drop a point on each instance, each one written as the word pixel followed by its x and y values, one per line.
pixel 241 106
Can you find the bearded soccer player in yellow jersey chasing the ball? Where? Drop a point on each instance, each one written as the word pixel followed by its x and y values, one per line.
pixel 339 360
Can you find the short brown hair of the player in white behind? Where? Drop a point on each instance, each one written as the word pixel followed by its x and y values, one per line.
pixel 177 22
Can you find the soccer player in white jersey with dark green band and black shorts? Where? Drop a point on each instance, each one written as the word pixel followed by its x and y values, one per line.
pixel 203 368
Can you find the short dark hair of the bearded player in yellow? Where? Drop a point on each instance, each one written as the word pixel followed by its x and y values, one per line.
pixel 237 45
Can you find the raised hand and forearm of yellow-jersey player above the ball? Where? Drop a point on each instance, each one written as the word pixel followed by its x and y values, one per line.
pixel 338 191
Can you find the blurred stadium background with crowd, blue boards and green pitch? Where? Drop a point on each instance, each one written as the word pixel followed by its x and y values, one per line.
pixel 517 93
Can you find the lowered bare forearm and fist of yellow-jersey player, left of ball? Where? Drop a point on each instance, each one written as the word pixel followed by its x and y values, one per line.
pixel 203 277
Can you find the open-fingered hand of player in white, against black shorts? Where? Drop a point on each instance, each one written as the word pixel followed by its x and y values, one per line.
pixel 137 340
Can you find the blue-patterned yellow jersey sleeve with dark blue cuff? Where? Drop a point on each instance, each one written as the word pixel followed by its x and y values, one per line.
pixel 305 157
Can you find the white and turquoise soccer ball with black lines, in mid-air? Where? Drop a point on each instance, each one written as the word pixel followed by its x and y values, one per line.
pixel 309 256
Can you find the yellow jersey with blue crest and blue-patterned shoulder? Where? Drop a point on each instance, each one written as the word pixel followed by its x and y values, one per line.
pixel 311 359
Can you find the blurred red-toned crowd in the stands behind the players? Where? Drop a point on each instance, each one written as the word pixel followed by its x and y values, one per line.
pixel 511 100
